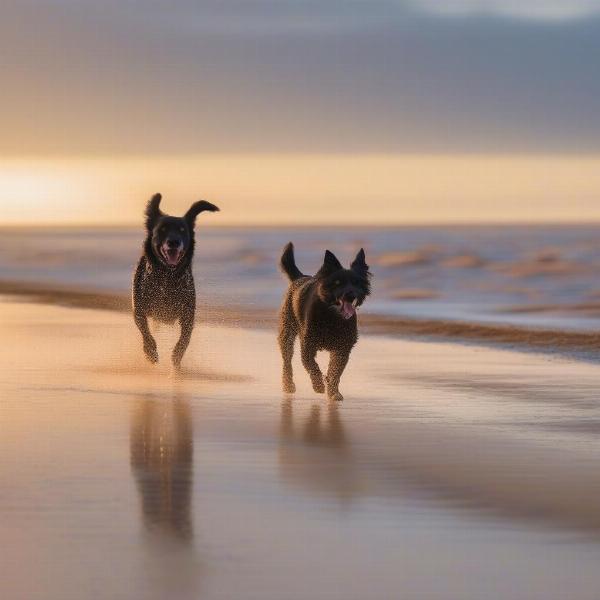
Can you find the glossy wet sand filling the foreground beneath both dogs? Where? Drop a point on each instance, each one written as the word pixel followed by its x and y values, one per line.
pixel 448 472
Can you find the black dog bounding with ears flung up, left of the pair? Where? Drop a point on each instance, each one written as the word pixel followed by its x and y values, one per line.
pixel 163 285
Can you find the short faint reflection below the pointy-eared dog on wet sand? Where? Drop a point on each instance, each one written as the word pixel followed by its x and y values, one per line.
pixel 315 452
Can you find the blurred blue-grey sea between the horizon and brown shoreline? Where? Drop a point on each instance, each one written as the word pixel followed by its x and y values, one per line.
pixel 539 276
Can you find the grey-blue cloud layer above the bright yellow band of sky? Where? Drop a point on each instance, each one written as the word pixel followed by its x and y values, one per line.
pixel 297 76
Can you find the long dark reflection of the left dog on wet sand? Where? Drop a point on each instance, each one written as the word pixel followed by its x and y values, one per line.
pixel 162 451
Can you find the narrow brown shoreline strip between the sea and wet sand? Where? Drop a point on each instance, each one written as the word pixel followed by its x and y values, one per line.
pixel 513 337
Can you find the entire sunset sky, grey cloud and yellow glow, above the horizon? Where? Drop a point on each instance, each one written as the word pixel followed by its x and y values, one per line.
pixel 295 97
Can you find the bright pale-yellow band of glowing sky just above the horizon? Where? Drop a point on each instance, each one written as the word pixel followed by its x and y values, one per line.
pixel 306 189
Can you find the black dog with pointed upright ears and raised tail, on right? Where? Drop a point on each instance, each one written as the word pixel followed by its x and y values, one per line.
pixel 322 311
